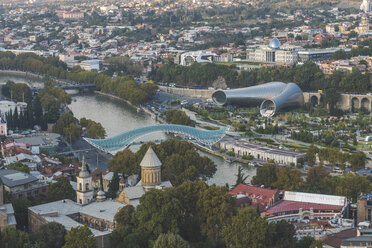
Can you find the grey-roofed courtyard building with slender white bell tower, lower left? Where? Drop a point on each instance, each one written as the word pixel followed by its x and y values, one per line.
pixel 98 214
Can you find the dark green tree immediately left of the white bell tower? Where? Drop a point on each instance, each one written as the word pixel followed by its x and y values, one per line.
pixel 60 190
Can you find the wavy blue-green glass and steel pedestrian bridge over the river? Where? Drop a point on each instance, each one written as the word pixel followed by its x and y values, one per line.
pixel 124 140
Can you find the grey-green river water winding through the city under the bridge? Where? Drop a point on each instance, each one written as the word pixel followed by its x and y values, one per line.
pixel 117 117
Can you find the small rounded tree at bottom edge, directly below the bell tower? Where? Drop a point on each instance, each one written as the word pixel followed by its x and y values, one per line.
pixel 80 237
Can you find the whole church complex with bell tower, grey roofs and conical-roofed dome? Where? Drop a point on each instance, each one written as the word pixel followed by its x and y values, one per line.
pixel 97 213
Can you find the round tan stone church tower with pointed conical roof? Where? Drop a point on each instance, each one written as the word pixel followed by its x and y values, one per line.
pixel 150 170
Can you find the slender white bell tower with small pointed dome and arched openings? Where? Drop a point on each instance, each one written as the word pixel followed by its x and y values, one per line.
pixel 84 193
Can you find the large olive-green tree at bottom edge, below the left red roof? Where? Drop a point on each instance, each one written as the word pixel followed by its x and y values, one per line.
pixel 247 229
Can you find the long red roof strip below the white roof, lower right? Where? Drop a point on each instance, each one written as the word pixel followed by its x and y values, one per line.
pixel 288 206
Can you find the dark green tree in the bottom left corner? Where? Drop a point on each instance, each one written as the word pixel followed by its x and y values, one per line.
pixel 12 238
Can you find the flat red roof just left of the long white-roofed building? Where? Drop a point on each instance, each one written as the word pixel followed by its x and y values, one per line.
pixel 256 194
